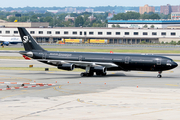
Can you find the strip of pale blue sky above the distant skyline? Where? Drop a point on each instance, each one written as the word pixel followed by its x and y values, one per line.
pixel 84 3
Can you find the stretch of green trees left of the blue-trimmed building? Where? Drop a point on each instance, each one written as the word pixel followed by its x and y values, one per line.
pixel 58 20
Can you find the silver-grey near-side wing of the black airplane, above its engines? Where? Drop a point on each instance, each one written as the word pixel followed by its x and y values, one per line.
pixel 81 63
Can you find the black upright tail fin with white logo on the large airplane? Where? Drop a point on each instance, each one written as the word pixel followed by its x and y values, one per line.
pixel 28 41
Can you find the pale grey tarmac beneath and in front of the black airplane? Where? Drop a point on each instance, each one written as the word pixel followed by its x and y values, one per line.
pixel 120 95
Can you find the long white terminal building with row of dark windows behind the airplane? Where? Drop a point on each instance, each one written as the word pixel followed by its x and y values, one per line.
pixel 113 35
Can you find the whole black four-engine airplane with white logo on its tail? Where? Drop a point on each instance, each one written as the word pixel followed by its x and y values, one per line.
pixel 98 63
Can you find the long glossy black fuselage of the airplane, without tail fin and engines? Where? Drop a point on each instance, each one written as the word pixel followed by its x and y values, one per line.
pixel 126 62
